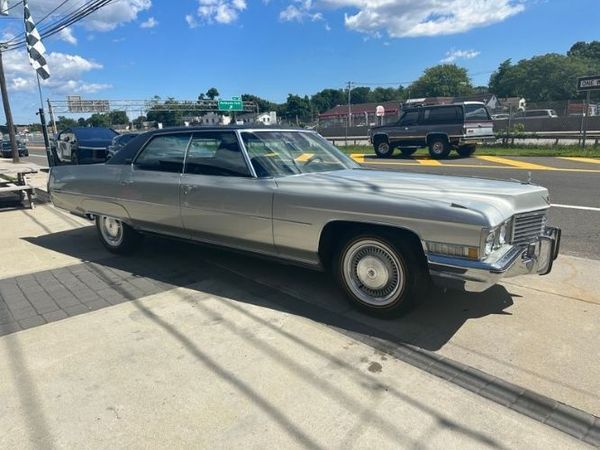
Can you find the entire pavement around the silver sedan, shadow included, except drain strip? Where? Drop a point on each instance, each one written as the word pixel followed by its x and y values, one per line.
pixel 184 346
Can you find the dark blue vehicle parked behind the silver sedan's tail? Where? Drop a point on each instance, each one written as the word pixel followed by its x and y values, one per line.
pixel 84 145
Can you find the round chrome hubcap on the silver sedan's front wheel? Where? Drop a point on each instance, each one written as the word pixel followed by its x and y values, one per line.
pixel 373 272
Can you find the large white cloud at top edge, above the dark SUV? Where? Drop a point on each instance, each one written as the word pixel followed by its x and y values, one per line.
pixel 409 18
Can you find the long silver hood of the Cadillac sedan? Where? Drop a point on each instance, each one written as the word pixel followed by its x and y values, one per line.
pixel 495 200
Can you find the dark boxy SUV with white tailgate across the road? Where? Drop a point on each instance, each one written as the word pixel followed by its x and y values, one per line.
pixel 441 128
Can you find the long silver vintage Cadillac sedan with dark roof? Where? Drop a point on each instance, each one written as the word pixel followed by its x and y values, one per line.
pixel 290 194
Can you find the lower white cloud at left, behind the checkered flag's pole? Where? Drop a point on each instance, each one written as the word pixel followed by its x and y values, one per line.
pixel 66 73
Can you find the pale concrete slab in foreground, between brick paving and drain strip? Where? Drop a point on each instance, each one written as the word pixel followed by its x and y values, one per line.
pixel 188 369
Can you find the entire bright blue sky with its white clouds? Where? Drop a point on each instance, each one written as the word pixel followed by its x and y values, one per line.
pixel 136 49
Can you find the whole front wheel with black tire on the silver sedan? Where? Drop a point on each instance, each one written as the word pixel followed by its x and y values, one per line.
pixel 379 275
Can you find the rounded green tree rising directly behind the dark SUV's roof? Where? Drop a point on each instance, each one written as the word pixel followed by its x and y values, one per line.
pixel 444 80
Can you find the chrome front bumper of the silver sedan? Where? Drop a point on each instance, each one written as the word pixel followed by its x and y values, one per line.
pixel 477 276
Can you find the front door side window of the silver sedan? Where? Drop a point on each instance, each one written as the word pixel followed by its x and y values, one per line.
pixel 216 153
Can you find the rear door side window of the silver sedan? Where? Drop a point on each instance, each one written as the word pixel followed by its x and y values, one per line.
pixel 164 153
